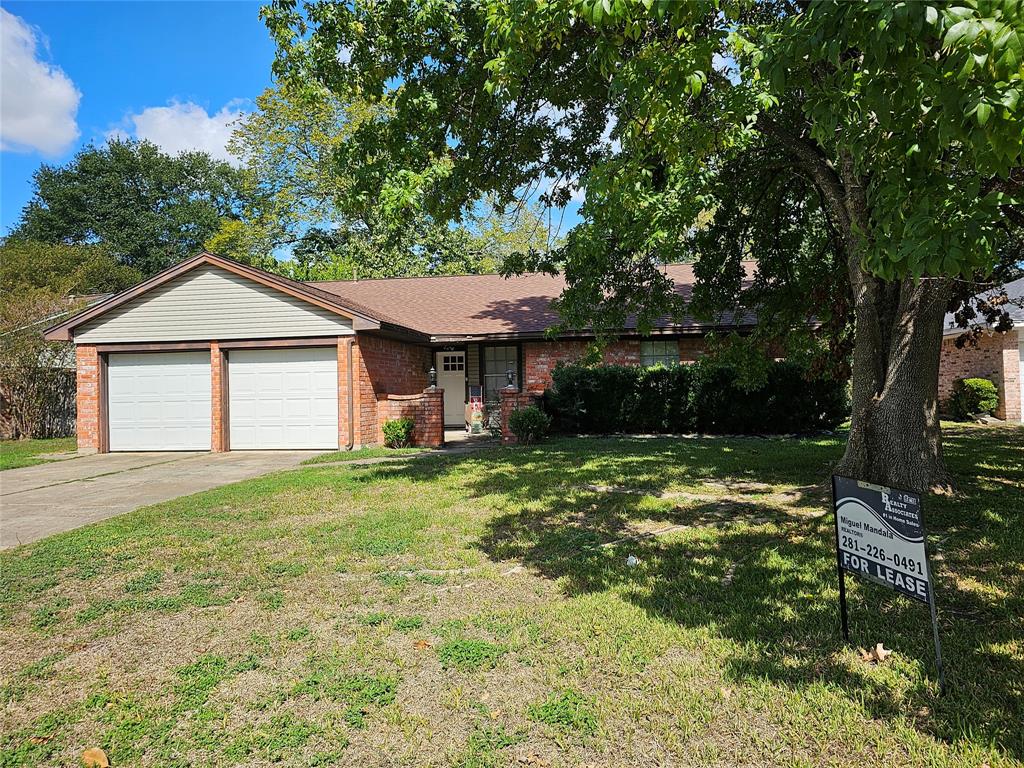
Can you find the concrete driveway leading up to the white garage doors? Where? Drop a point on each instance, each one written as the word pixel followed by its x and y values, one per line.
pixel 47 499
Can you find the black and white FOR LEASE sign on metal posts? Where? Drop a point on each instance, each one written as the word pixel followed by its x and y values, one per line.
pixel 880 536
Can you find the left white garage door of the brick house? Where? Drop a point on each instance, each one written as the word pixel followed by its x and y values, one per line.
pixel 159 402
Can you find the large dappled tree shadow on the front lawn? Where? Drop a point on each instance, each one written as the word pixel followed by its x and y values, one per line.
pixel 772 586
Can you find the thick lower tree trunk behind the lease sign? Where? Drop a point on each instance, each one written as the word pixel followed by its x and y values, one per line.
pixel 895 438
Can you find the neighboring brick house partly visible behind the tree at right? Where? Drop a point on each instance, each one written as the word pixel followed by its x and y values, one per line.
pixel 998 357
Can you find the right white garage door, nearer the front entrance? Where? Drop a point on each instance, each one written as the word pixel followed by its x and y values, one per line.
pixel 283 399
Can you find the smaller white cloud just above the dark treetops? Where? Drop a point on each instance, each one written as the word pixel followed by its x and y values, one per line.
pixel 184 126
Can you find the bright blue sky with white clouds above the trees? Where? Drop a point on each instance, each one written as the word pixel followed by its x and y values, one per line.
pixel 175 73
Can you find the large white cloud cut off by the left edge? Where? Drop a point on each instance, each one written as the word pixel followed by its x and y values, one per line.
pixel 38 102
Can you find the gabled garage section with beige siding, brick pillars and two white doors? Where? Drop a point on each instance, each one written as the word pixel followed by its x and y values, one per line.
pixel 214 356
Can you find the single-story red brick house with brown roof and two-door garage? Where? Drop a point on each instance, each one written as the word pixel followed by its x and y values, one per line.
pixel 212 355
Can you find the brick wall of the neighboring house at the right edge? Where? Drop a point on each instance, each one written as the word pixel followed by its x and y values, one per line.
pixel 996 358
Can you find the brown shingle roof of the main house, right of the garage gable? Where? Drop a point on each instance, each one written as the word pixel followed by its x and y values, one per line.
pixel 486 305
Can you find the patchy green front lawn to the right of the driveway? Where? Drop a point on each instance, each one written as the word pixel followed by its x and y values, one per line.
pixel 479 611
